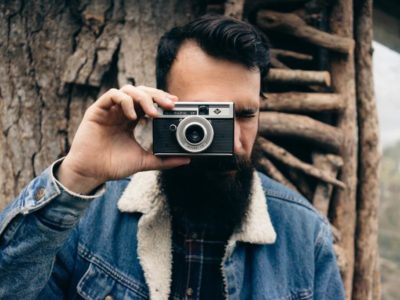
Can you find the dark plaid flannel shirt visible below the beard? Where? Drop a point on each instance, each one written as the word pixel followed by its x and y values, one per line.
pixel 197 258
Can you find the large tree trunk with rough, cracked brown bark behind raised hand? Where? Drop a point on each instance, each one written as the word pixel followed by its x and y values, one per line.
pixel 55 60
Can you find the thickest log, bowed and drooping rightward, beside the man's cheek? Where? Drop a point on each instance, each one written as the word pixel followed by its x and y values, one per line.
pixel 290 125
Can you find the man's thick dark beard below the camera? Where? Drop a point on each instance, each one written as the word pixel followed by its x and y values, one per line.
pixel 213 191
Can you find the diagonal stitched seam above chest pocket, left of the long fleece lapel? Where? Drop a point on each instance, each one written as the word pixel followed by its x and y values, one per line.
pixel 104 266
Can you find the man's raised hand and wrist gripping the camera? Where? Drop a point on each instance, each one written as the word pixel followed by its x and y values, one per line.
pixel 104 147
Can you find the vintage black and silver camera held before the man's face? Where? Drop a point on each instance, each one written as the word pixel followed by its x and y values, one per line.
pixel 194 129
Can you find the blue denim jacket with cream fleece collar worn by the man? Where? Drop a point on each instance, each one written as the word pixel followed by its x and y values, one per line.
pixel 55 244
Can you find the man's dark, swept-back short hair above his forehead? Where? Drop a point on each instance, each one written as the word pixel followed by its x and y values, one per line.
pixel 220 37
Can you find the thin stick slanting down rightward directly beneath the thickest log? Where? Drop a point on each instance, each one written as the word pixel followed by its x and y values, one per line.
pixel 290 160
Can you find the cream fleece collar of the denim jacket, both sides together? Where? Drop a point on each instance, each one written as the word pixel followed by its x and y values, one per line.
pixel 154 229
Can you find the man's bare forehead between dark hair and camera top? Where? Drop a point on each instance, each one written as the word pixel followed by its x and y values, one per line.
pixel 196 76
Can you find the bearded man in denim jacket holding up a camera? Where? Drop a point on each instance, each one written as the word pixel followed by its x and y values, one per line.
pixel 113 221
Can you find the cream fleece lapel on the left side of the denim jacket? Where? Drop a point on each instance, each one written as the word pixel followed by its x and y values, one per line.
pixel 154 231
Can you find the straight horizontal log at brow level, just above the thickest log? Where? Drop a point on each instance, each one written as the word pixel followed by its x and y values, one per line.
pixel 302 102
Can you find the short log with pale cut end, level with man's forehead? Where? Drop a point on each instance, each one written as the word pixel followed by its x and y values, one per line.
pixel 298 77
